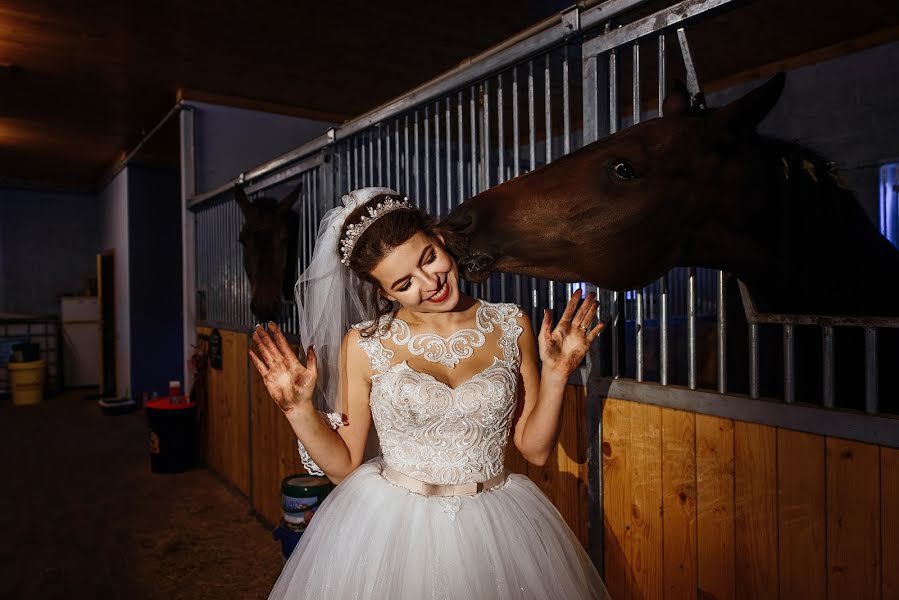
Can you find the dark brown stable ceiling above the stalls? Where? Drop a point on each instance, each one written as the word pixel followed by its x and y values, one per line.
pixel 81 82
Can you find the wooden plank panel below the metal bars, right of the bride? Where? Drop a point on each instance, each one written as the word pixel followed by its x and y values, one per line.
pixel 701 506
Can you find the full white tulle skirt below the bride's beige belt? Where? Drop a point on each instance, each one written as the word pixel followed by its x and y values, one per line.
pixel 372 539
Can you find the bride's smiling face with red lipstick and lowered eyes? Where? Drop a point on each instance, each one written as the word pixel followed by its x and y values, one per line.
pixel 420 275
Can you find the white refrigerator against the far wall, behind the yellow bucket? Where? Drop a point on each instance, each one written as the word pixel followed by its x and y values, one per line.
pixel 80 316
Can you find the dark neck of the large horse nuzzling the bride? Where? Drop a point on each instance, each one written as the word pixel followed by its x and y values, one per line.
pixel 805 238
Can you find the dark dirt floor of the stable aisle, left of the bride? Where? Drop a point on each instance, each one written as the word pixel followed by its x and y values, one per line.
pixel 82 516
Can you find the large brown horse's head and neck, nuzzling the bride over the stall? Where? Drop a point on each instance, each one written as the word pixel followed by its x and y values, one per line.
pixel 693 188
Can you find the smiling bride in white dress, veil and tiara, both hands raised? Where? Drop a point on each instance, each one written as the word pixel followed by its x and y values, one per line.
pixel 444 378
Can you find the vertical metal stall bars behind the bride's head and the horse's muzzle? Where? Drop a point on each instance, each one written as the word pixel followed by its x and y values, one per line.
pixel 457 144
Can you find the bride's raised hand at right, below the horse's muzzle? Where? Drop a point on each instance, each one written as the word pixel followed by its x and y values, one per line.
pixel 563 348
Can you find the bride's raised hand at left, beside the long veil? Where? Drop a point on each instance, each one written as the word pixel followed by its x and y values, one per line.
pixel 289 383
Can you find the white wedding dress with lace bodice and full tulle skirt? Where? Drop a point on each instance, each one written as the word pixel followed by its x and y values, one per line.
pixel 374 539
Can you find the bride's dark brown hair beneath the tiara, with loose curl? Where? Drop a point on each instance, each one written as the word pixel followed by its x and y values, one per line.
pixel 379 240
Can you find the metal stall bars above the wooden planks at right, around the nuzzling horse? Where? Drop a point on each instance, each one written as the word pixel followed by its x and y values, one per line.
pixel 699 293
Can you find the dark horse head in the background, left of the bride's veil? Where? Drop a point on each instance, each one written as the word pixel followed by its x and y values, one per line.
pixel 269 240
